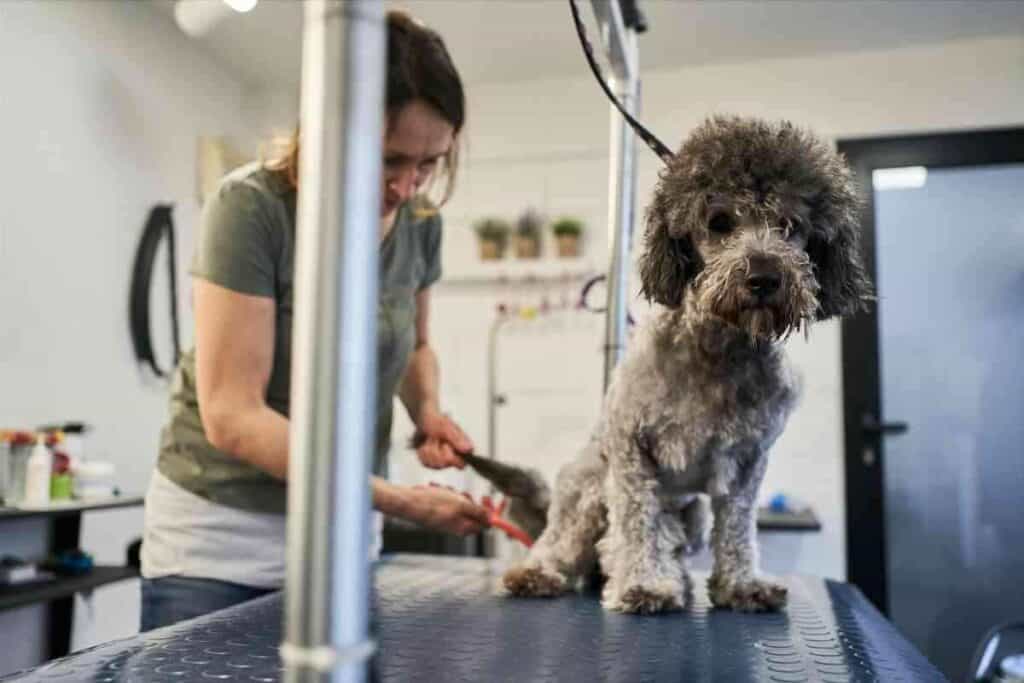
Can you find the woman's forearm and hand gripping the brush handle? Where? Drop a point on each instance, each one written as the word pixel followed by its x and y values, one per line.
pixel 419 395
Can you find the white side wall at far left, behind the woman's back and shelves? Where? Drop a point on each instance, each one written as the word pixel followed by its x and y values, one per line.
pixel 101 107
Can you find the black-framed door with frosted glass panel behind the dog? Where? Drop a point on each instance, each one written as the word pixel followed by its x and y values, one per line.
pixel 934 389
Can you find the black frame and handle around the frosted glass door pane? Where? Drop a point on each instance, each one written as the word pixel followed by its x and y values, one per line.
pixel 866 532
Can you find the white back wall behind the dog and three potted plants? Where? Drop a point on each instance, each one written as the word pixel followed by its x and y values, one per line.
pixel 545 143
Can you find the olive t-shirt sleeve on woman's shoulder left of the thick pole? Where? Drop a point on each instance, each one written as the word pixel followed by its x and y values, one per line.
pixel 235 248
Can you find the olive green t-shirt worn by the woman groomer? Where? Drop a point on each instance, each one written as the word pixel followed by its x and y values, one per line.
pixel 247 244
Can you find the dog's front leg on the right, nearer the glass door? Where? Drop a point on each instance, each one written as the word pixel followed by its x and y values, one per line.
pixel 734 582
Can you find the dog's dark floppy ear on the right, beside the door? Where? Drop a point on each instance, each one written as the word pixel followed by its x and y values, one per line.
pixel 834 245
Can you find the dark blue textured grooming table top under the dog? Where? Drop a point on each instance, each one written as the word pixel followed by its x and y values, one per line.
pixel 438 619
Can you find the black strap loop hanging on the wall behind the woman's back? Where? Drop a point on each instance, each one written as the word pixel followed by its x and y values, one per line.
pixel 159 224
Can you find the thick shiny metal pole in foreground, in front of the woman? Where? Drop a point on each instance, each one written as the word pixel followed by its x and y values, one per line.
pixel 334 367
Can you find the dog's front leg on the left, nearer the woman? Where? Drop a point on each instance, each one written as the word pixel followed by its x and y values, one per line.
pixel 641 554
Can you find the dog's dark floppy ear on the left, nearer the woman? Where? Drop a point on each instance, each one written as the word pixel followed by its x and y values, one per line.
pixel 670 261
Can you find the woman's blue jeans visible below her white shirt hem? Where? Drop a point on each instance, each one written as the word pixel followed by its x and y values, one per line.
pixel 172 600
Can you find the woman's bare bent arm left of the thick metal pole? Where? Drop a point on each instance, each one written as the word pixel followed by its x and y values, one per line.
pixel 235 336
